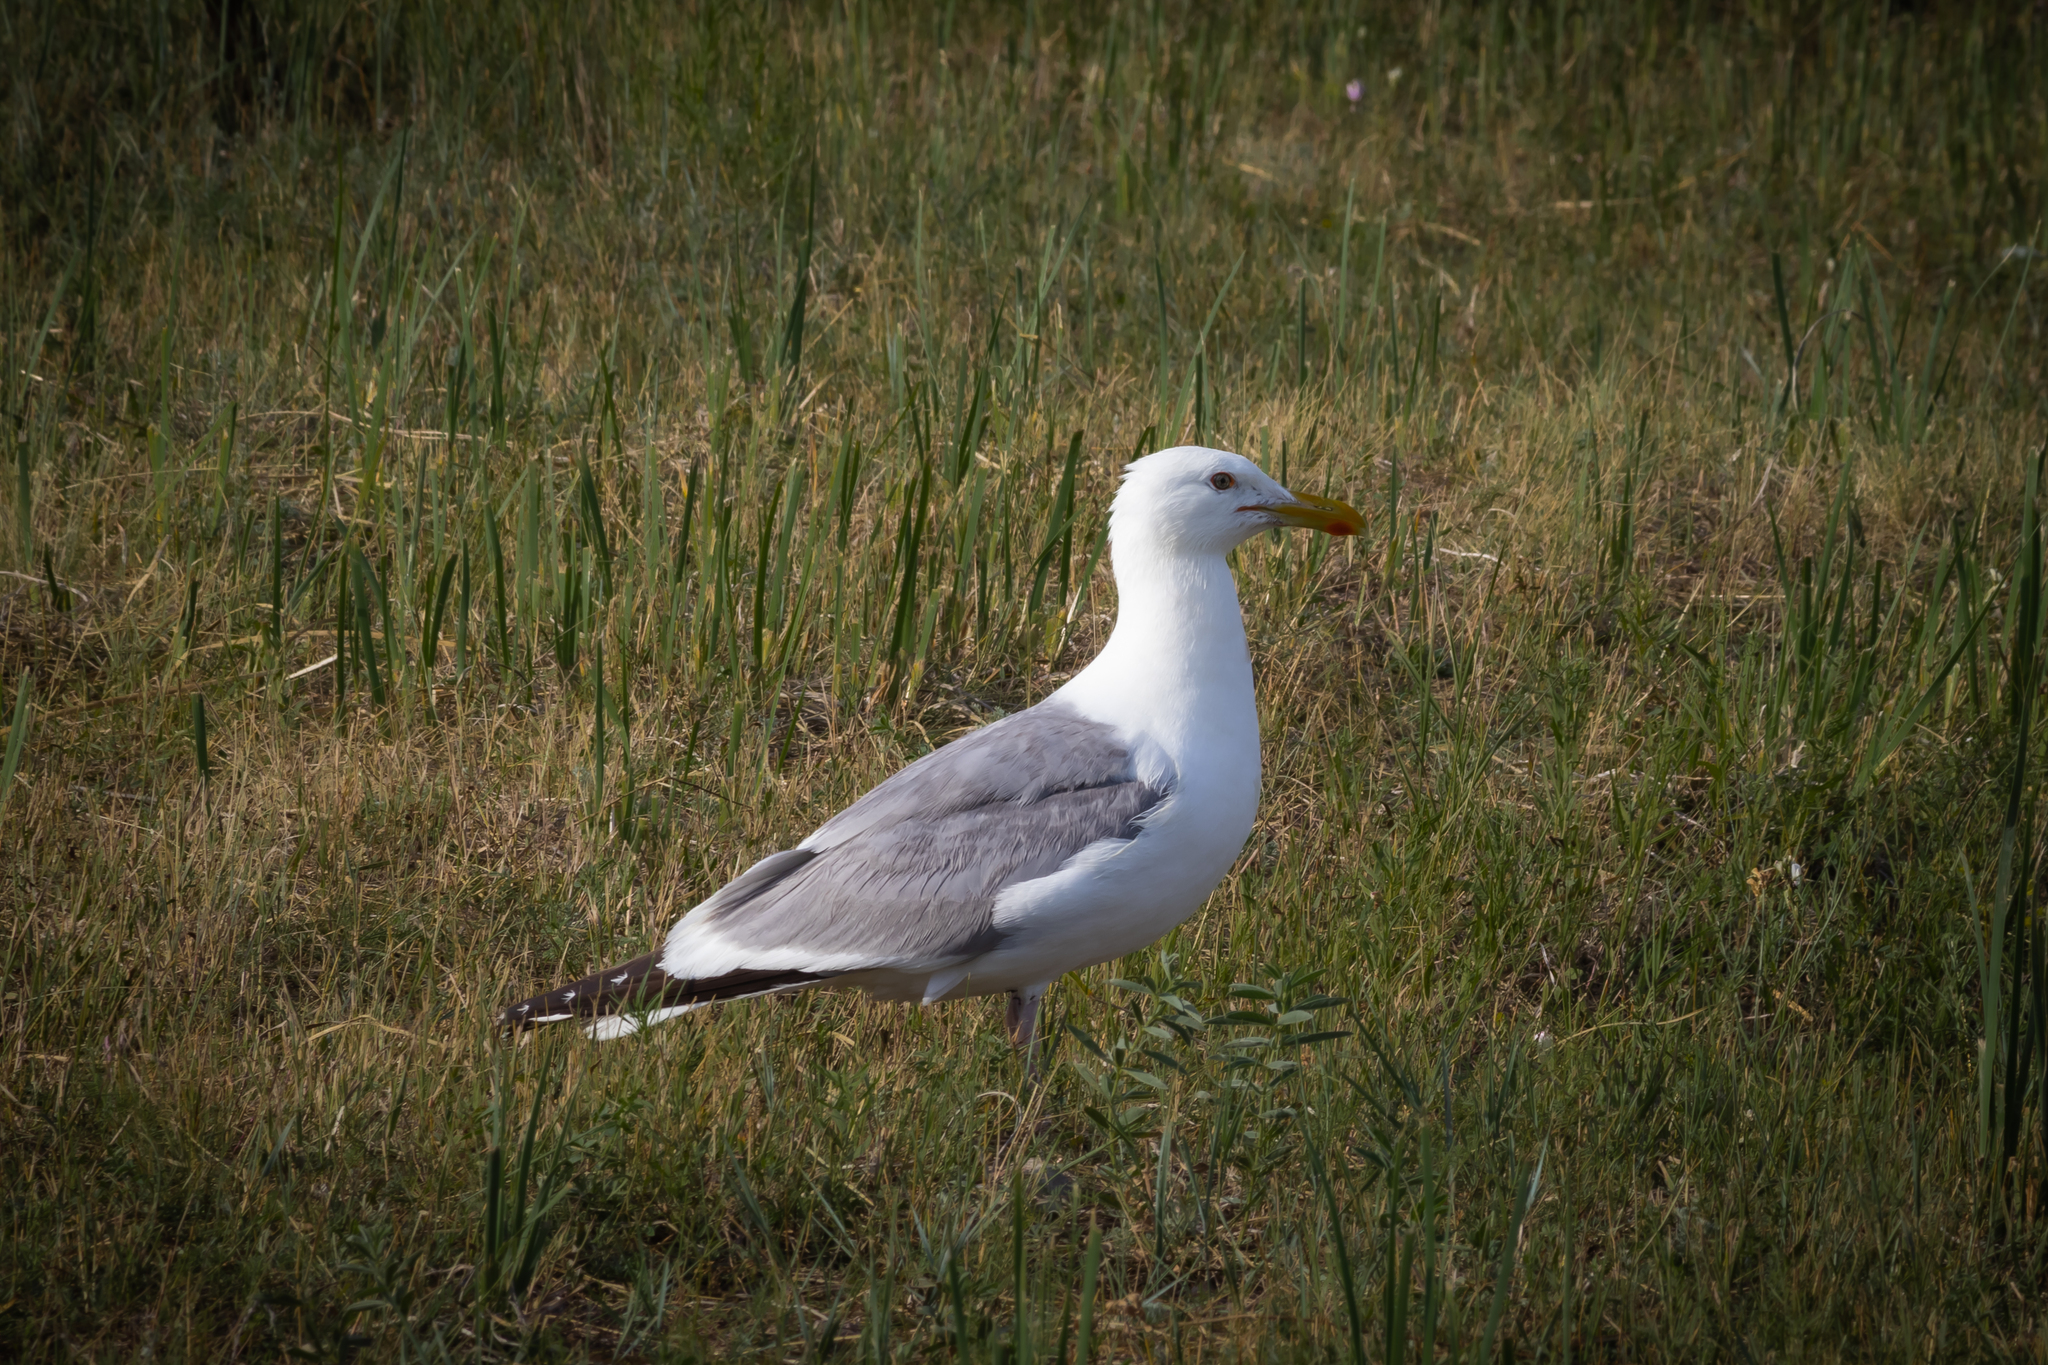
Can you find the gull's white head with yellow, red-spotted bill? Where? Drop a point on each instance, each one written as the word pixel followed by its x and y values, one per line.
pixel 1193 500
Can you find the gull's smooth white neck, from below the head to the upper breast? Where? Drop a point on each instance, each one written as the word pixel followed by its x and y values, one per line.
pixel 1177 668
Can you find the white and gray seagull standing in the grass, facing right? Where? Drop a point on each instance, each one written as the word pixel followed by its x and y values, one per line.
pixel 1058 838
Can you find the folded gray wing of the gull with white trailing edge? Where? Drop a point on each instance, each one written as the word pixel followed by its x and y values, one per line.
pixel 910 873
